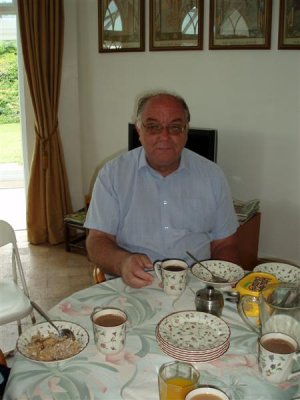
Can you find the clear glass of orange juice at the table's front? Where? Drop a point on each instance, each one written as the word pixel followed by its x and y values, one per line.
pixel 176 379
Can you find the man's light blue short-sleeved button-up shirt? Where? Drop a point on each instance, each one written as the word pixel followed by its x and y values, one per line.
pixel 162 216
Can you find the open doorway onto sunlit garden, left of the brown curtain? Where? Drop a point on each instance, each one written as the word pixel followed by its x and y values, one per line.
pixel 12 183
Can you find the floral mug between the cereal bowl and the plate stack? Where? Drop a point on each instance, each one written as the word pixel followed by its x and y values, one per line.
pixel 109 326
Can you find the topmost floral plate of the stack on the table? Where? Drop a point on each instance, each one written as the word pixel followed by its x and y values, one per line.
pixel 193 330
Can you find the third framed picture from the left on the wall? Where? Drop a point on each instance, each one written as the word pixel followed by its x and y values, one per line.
pixel 240 24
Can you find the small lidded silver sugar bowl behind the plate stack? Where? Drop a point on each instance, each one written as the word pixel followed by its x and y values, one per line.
pixel 209 300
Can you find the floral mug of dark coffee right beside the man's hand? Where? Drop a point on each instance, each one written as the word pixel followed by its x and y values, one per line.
pixel 172 274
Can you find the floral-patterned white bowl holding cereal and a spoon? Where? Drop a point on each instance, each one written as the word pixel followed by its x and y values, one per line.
pixel 45 329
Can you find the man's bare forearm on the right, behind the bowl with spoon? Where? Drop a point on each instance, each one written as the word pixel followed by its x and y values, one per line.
pixel 225 249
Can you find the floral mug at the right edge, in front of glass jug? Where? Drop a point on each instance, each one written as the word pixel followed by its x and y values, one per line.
pixel 277 353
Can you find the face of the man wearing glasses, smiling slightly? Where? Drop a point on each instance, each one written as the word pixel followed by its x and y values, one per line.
pixel 163 133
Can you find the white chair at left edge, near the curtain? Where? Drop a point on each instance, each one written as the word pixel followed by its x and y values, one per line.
pixel 14 297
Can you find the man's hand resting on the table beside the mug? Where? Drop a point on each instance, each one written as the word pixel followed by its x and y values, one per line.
pixel 132 270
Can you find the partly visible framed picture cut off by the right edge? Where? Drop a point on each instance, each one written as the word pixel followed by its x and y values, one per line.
pixel 289 24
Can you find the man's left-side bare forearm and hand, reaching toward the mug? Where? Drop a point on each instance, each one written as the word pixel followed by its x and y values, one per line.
pixel 104 251
